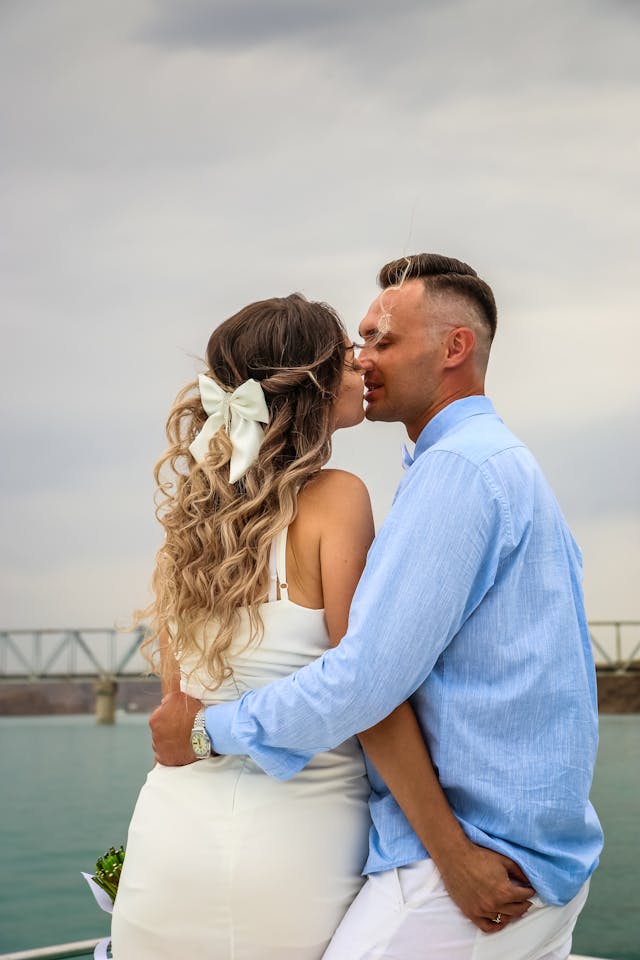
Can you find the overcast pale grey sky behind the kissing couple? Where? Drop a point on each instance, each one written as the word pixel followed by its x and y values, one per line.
pixel 164 163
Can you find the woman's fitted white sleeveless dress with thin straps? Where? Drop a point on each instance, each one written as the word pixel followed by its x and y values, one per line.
pixel 223 862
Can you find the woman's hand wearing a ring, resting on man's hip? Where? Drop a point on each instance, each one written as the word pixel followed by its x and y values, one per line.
pixel 486 885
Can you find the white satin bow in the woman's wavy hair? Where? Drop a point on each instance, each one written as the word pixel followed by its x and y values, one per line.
pixel 240 413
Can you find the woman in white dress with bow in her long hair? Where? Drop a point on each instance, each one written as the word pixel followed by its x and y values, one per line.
pixel 262 554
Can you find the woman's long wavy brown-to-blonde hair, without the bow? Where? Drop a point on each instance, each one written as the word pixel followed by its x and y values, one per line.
pixel 215 558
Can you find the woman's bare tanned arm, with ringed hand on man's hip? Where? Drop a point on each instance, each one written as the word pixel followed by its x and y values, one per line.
pixel 477 879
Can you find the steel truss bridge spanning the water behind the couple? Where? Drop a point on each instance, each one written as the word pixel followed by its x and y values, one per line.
pixel 29 656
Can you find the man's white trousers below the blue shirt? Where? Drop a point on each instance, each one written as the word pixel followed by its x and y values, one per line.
pixel 407 914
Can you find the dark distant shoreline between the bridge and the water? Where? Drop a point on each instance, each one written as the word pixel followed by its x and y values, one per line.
pixel 617 693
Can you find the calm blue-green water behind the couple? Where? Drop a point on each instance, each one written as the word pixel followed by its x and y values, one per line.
pixel 68 786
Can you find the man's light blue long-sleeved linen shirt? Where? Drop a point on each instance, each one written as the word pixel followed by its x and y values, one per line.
pixel 470 605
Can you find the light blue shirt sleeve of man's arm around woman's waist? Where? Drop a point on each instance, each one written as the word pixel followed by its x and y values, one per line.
pixel 430 565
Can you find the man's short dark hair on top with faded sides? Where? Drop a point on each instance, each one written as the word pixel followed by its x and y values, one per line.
pixel 441 273
